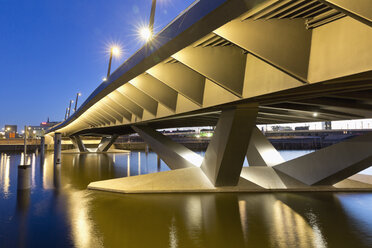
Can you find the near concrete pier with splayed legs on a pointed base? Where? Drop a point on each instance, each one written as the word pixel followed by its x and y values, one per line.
pixel 221 169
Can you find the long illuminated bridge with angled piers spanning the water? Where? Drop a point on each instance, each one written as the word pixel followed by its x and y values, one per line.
pixel 235 64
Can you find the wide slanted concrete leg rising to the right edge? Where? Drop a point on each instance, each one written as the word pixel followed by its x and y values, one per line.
pixel 331 164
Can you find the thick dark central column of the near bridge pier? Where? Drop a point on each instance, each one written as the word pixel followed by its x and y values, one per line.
pixel 224 158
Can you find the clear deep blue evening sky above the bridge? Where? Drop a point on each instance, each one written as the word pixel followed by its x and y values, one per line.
pixel 50 50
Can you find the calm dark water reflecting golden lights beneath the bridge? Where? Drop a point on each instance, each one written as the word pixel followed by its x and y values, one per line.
pixel 58 211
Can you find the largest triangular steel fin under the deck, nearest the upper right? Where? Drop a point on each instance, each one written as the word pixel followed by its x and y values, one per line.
pixel 284 44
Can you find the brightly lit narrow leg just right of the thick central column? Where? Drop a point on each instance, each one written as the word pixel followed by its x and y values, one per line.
pixel 261 152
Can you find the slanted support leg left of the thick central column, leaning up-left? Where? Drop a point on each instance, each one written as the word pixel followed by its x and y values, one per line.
pixel 175 155
